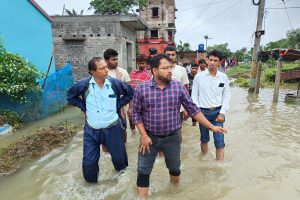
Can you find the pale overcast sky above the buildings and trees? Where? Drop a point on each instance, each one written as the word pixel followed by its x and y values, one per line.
pixel 231 21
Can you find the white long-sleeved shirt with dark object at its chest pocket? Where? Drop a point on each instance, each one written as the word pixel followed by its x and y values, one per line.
pixel 210 92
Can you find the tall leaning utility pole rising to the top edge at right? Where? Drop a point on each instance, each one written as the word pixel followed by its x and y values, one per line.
pixel 258 33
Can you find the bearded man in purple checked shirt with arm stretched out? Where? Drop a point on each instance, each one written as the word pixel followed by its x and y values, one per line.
pixel 156 108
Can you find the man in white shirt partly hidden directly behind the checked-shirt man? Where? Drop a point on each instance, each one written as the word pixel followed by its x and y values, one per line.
pixel 178 73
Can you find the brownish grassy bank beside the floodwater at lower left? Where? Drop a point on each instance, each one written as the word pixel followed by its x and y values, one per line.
pixel 28 148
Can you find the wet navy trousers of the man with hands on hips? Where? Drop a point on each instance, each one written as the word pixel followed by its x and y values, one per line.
pixel 112 137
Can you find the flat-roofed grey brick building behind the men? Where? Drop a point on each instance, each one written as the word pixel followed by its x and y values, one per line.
pixel 77 39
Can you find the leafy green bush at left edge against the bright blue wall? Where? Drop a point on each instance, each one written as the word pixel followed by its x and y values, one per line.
pixel 17 75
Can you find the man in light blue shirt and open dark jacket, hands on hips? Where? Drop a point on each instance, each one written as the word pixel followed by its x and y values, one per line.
pixel 101 97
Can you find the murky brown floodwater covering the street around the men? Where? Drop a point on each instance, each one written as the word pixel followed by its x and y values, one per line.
pixel 262 161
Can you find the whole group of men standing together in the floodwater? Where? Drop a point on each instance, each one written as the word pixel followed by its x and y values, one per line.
pixel 159 100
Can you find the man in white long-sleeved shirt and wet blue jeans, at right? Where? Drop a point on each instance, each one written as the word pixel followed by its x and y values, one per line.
pixel 210 92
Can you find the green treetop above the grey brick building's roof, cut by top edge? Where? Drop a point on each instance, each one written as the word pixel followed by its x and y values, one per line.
pixel 116 7
